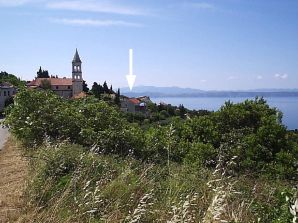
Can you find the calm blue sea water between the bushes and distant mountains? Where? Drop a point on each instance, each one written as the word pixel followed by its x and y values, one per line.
pixel 288 105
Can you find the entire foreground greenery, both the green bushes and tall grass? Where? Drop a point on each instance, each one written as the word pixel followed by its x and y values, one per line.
pixel 238 164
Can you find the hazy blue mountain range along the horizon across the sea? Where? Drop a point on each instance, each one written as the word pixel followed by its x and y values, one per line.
pixel 153 91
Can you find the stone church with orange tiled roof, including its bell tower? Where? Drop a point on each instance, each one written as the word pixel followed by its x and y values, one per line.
pixel 64 87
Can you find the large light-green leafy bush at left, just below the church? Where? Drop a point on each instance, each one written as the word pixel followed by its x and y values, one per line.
pixel 40 115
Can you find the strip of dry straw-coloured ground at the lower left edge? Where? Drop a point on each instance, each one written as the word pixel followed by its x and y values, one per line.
pixel 13 172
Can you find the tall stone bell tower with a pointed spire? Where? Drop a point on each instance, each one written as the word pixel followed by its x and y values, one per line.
pixel 77 79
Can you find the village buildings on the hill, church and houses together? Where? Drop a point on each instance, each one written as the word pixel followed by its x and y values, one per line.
pixel 72 88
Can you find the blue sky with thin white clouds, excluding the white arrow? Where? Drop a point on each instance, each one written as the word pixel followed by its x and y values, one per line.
pixel 208 45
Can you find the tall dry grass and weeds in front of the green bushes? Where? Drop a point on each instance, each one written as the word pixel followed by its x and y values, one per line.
pixel 70 184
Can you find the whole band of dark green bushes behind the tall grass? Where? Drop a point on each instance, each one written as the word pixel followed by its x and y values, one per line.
pixel 250 131
